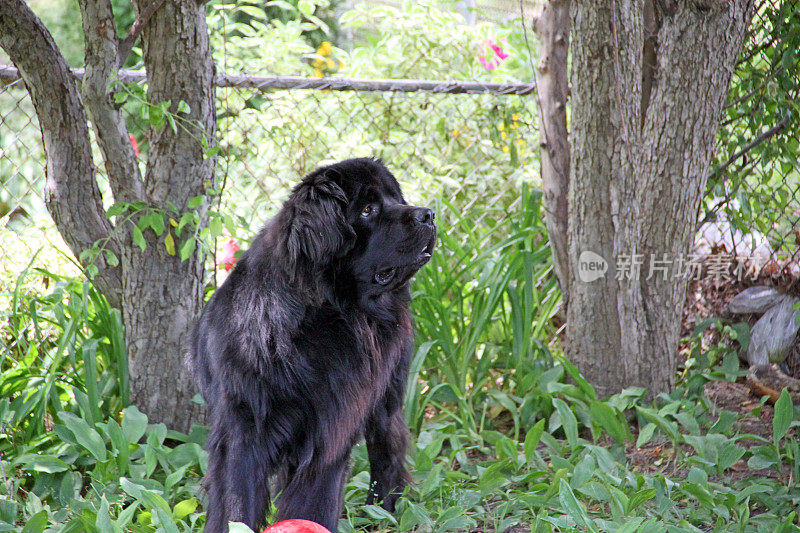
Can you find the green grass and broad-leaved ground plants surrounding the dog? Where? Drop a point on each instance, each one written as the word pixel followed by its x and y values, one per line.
pixel 507 436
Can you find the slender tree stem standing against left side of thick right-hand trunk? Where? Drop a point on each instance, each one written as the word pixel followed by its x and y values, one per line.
pixel 552 26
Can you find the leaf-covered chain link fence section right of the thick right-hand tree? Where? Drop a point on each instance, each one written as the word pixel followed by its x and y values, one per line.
pixel 751 214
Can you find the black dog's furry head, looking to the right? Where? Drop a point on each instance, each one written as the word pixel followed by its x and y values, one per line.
pixel 351 221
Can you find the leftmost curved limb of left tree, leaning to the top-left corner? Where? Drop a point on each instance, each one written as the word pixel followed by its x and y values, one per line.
pixel 71 193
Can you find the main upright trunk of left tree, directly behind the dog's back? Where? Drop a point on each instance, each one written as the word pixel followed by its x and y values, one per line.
pixel 164 294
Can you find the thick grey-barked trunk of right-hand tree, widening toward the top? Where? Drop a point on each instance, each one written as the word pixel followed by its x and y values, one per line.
pixel 649 80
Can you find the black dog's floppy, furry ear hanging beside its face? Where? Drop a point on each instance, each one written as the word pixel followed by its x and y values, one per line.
pixel 318 229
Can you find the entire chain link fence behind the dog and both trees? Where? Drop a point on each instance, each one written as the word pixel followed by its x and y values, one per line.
pixel 469 143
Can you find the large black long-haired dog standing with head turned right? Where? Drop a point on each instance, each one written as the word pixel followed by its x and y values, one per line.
pixel 306 347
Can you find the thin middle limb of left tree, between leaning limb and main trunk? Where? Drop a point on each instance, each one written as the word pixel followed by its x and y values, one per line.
pixel 122 167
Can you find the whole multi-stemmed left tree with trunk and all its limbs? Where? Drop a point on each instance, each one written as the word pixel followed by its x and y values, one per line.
pixel 160 295
